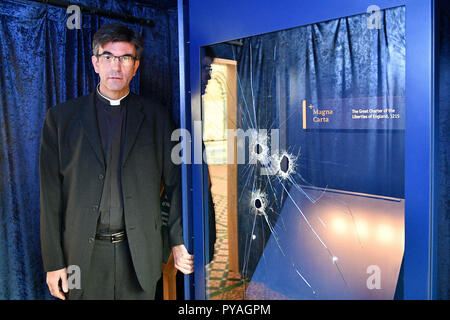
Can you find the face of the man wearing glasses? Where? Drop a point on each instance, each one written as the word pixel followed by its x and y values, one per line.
pixel 115 76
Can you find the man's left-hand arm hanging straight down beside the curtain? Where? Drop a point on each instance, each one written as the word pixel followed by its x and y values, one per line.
pixel 51 207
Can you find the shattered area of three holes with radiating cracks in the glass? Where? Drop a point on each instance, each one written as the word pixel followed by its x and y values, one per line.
pixel 268 192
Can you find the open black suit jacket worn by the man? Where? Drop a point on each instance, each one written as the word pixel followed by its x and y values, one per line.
pixel 72 170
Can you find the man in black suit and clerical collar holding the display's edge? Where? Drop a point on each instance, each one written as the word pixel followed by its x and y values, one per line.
pixel 102 159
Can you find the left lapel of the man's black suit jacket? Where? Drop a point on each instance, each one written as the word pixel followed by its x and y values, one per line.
pixel 89 122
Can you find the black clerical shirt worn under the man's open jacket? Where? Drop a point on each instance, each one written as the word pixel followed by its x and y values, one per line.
pixel 111 122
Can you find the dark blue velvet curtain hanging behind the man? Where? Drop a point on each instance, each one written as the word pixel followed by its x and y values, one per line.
pixel 43 63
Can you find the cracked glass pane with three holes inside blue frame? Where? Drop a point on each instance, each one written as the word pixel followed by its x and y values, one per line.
pixel 303 132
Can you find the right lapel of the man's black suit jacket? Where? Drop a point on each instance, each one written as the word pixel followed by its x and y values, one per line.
pixel 134 120
